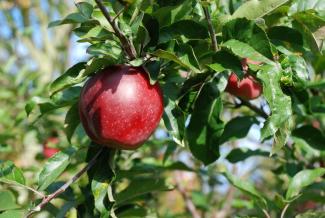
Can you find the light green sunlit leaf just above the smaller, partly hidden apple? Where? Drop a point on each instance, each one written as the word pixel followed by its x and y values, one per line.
pixel 244 50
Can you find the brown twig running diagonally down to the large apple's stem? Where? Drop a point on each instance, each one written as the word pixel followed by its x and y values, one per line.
pixel 126 43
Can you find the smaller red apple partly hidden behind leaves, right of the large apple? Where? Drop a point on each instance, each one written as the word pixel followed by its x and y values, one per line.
pixel 248 88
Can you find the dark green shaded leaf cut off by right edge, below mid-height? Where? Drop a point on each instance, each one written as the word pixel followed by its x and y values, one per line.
pixel 311 135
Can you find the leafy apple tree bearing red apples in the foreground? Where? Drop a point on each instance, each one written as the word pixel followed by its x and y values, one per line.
pixel 238 86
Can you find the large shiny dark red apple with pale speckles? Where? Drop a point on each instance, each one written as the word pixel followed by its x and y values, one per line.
pixel 119 108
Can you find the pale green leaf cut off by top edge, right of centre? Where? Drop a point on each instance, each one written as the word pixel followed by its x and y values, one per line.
pixel 254 9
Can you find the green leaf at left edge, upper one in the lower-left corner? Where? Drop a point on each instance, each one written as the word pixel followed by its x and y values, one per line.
pixel 10 173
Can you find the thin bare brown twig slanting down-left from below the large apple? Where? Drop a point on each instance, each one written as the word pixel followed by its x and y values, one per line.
pixel 62 189
